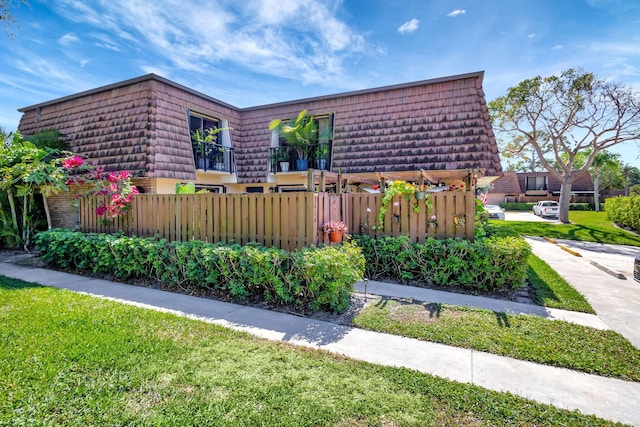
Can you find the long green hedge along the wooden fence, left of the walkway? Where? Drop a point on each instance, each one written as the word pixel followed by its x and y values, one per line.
pixel 310 279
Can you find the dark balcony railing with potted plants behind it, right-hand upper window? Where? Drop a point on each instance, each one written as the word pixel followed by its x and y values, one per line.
pixel 285 159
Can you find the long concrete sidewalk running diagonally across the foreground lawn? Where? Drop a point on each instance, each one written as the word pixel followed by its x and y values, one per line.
pixel 608 398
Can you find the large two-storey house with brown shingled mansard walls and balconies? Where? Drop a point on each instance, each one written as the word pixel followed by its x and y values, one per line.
pixel 145 126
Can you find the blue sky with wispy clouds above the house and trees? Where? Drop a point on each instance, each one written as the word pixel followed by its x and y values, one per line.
pixel 255 52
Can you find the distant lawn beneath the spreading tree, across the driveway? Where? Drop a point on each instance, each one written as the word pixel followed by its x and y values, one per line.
pixel 586 226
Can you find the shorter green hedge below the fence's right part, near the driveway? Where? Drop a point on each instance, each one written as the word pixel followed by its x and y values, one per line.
pixel 494 264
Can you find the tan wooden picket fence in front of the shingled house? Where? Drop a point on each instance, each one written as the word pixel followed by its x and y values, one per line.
pixel 284 220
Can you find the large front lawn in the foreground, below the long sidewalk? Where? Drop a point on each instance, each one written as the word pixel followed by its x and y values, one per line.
pixel 74 360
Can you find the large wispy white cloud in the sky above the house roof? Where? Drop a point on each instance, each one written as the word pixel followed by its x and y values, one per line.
pixel 304 40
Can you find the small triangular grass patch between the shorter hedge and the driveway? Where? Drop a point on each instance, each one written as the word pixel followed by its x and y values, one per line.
pixel 551 290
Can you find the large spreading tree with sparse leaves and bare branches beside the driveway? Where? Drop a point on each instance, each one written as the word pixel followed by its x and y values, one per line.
pixel 577 112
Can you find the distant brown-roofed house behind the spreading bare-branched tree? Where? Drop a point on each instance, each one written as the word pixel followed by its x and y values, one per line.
pixel 536 186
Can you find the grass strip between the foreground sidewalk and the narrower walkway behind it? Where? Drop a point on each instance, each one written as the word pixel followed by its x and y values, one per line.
pixel 523 337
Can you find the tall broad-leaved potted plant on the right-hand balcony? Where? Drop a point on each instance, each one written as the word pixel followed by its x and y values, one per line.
pixel 301 133
